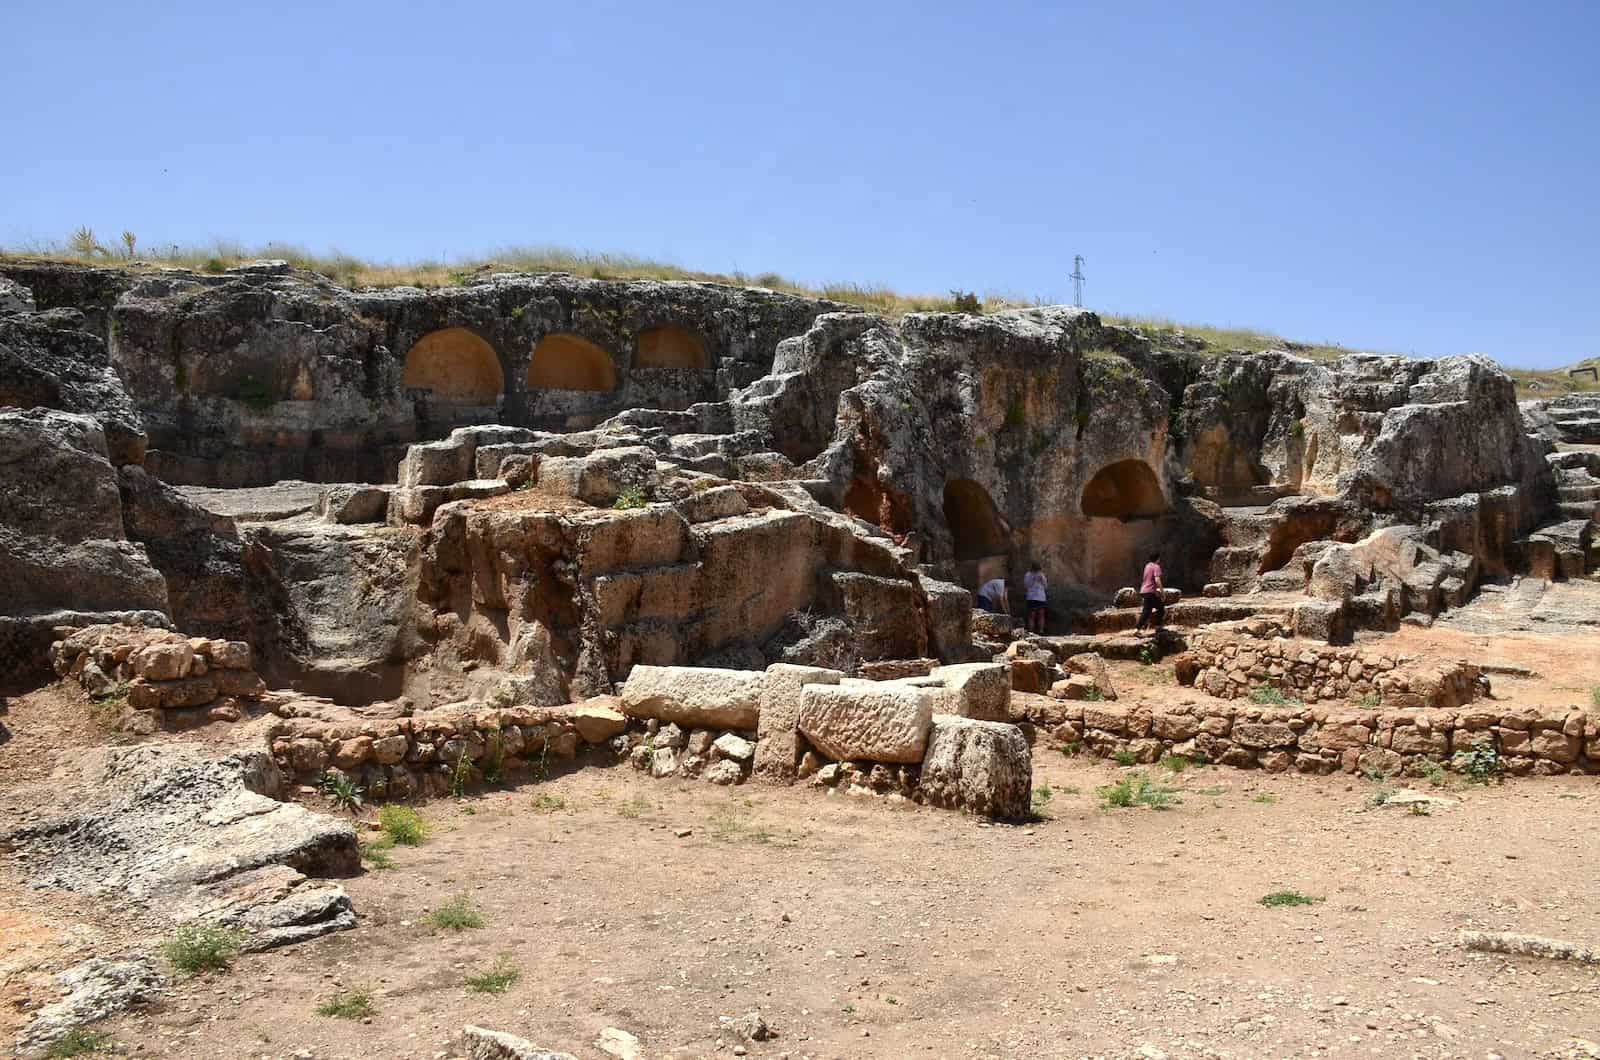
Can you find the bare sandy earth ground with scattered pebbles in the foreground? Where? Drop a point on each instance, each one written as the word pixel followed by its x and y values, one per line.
pixel 862 930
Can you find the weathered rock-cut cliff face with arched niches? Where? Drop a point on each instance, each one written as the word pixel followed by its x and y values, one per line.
pixel 716 475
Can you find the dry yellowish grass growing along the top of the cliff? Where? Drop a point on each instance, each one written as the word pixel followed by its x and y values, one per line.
pixel 89 249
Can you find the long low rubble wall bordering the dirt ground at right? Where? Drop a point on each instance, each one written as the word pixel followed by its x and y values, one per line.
pixel 1321 739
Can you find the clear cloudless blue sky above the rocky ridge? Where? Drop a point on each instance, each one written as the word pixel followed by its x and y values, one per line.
pixel 1417 177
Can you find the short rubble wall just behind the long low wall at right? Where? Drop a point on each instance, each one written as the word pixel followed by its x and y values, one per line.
pixel 1233 667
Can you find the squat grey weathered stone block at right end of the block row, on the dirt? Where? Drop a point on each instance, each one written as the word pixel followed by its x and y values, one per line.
pixel 978 766
